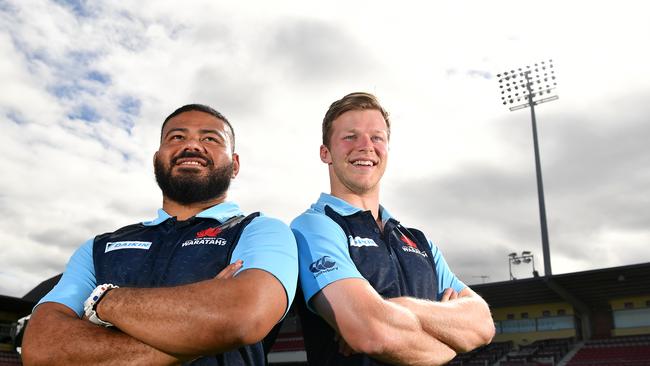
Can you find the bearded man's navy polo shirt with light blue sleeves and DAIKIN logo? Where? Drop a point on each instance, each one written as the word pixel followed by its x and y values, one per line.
pixel 168 252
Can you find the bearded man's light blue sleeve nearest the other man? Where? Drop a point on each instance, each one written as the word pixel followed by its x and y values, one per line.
pixel 267 244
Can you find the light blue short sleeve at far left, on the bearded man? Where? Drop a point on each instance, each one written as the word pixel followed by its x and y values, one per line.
pixel 77 282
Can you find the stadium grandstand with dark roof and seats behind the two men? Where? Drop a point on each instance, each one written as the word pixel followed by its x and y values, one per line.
pixel 590 318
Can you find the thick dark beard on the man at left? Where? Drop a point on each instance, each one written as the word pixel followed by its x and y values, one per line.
pixel 189 187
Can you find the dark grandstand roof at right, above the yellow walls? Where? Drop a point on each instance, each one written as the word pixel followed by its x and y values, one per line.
pixel 594 288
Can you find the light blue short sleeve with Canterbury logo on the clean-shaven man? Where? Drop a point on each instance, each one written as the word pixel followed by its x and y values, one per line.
pixel 323 253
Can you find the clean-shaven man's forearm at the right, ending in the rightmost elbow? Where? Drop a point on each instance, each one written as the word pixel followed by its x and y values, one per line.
pixel 463 324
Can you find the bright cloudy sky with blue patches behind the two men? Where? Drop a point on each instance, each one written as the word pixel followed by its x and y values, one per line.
pixel 84 86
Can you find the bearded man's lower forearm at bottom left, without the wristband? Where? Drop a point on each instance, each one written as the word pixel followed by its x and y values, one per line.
pixel 56 336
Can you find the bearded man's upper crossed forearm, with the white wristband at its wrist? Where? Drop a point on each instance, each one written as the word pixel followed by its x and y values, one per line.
pixel 206 317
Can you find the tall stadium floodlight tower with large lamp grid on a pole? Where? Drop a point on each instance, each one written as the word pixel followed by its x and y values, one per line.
pixel 533 86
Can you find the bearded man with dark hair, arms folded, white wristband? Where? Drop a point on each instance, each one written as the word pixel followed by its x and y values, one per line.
pixel 201 283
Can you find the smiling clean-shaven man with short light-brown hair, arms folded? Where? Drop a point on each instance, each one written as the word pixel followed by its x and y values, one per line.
pixel 376 292
